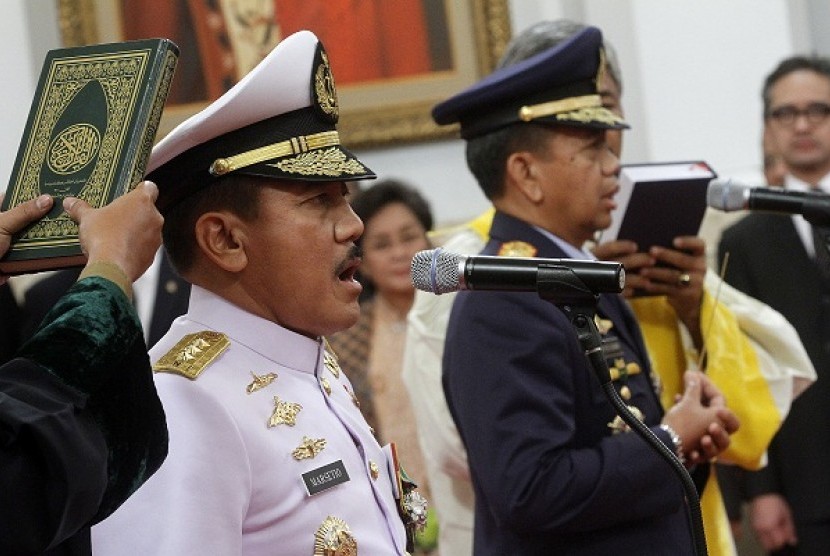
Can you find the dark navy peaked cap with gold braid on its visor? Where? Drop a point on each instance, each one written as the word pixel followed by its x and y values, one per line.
pixel 557 86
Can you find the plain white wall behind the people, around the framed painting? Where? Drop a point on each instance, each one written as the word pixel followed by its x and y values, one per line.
pixel 692 72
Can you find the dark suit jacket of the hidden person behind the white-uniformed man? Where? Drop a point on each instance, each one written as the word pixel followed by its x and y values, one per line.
pixel 172 295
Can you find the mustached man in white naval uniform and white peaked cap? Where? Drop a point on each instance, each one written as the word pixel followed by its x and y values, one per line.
pixel 269 453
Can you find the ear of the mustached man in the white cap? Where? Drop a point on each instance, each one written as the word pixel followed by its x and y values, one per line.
pixel 221 237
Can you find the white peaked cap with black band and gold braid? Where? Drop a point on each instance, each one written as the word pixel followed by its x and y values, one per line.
pixel 277 122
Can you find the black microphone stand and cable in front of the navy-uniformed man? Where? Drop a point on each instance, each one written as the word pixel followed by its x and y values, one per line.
pixel 580 308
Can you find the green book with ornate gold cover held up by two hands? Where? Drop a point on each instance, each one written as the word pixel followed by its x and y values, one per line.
pixel 89 134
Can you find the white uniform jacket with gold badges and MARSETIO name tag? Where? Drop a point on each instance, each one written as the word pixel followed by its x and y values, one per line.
pixel 233 480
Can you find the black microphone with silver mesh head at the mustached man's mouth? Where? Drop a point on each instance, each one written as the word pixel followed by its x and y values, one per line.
pixel 440 271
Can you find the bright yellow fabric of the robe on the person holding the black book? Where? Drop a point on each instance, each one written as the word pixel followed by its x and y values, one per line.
pixel 733 367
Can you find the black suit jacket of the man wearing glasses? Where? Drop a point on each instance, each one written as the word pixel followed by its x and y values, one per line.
pixel 767 260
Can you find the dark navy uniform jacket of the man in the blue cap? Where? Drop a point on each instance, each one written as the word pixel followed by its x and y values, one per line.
pixel 549 475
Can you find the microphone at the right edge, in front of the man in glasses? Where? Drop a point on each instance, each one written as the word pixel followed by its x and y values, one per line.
pixel 729 195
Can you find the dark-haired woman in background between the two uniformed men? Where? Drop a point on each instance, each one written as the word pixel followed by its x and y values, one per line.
pixel 396 219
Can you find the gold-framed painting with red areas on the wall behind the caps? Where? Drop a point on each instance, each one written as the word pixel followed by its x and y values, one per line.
pixel 392 60
